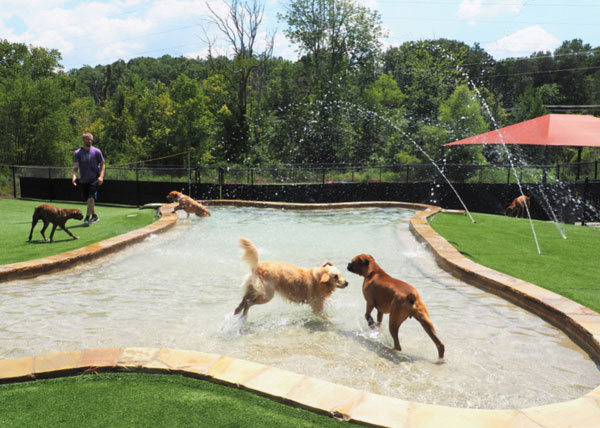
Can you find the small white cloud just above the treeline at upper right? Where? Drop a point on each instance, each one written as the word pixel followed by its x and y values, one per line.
pixel 523 43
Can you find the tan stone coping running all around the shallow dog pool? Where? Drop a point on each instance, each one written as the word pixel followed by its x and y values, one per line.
pixel 580 323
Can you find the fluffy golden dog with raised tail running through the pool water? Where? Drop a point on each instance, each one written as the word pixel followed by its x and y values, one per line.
pixel 299 285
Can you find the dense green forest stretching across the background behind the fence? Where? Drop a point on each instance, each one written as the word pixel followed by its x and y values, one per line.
pixel 345 100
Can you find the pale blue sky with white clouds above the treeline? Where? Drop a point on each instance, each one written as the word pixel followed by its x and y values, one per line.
pixel 104 31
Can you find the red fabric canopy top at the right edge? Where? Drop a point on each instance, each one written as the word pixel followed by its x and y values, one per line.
pixel 549 130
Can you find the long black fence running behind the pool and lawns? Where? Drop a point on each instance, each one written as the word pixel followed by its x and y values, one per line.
pixel 483 188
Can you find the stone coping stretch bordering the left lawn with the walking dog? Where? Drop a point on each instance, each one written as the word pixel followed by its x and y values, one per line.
pixel 69 259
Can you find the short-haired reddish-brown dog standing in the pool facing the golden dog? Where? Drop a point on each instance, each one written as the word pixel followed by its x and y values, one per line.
pixel 389 295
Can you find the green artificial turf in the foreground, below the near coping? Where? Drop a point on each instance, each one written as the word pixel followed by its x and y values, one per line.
pixel 121 400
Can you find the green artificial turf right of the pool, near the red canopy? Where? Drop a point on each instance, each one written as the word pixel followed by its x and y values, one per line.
pixel 568 267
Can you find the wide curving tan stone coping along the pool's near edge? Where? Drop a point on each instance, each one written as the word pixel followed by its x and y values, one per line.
pixel 299 390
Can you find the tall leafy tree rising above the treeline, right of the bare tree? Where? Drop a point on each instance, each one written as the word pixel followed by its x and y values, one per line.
pixel 339 43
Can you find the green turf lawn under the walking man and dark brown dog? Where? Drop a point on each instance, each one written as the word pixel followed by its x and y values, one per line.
pixel 16 224
